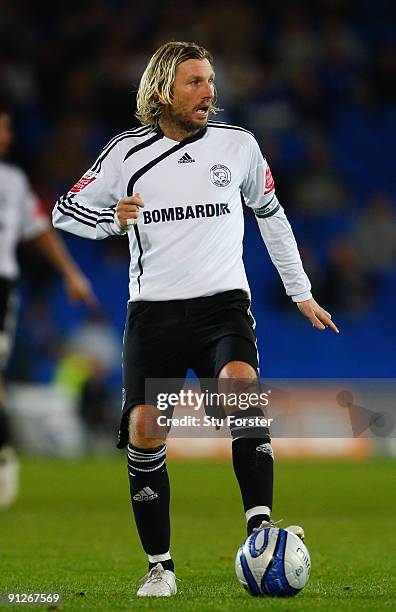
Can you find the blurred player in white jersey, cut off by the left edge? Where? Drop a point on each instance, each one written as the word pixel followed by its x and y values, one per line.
pixel 21 218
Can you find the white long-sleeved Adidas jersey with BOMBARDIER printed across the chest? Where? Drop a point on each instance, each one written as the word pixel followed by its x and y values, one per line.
pixel 188 239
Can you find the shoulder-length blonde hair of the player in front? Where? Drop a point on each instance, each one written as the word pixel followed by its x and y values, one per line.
pixel 159 76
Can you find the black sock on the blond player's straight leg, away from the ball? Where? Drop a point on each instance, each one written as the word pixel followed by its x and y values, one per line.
pixel 150 495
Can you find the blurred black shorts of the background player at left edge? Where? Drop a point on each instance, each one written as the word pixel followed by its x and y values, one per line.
pixel 8 311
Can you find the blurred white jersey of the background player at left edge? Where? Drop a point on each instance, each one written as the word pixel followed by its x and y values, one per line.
pixel 21 217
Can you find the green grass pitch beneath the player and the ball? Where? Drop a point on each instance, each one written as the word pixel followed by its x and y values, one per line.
pixel 71 531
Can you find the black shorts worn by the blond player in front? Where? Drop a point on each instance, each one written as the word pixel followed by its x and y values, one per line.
pixel 165 339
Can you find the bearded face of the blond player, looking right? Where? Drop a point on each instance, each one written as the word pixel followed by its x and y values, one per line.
pixel 193 92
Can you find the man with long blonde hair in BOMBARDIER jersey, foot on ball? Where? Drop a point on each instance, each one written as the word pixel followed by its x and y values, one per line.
pixel 177 186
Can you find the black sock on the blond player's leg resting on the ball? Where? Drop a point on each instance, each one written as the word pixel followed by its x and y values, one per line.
pixel 254 468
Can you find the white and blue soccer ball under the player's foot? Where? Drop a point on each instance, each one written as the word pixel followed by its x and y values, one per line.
pixel 273 562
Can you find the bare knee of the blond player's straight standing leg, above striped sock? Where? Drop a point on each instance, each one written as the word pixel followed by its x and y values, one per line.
pixel 144 431
